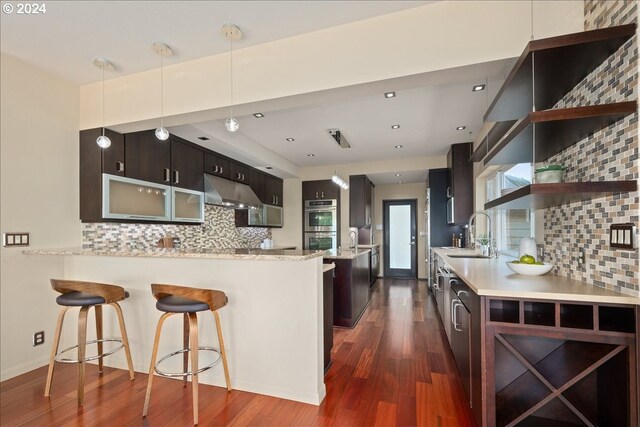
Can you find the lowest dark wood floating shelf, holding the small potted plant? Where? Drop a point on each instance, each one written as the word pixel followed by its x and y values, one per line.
pixel 538 196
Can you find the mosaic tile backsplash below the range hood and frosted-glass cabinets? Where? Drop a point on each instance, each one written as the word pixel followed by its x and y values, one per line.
pixel 217 232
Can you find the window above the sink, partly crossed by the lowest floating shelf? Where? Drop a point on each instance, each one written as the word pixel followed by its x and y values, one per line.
pixel 511 225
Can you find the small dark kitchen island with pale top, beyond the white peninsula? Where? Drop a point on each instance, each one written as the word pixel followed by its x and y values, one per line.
pixel 350 285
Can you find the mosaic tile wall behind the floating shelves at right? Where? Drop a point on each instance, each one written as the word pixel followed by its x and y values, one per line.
pixel 610 154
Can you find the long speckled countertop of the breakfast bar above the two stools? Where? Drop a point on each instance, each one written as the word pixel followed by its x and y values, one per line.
pixel 256 254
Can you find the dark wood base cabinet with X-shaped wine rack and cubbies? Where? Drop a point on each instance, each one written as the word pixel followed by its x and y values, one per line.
pixel 560 363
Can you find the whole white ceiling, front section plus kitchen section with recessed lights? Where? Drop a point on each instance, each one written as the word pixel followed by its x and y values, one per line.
pixel 428 107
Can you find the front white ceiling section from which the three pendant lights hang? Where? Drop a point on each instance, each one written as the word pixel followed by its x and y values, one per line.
pixel 67 38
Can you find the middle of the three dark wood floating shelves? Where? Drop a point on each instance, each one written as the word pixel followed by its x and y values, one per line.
pixel 553 131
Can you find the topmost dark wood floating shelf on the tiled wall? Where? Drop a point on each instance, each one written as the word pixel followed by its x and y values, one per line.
pixel 549 68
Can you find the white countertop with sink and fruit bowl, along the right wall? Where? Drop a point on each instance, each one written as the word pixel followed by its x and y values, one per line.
pixel 492 277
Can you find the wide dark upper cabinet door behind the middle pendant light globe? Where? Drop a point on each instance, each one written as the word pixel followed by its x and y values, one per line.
pixel 148 158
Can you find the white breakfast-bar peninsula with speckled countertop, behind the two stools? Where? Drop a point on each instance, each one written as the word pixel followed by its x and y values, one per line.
pixel 272 325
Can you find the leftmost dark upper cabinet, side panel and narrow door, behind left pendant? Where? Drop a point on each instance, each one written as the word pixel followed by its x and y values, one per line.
pixel 94 161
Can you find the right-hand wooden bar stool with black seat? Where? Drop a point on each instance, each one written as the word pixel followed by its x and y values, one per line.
pixel 188 301
